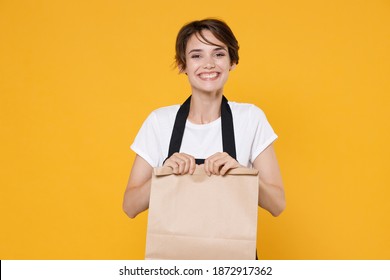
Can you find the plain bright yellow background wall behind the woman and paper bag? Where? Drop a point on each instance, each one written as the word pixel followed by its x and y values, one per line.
pixel 78 78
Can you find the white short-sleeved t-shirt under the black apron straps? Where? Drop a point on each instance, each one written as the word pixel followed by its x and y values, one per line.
pixel 252 134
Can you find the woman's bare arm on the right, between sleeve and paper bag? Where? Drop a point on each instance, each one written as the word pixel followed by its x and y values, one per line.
pixel 271 190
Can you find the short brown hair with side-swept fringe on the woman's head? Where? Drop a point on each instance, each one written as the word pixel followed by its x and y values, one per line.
pixel 217 27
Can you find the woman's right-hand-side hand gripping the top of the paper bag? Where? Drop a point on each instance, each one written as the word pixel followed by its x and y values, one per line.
pixel 219 164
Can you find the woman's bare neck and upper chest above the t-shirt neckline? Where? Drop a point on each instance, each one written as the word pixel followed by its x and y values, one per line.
pixel 205 108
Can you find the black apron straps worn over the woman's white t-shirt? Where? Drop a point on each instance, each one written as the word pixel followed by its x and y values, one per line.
pixel 228 141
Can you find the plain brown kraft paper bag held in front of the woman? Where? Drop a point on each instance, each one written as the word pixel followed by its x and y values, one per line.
pixel 200 217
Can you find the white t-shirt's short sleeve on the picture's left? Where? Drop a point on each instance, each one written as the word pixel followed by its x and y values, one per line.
pixel 146 144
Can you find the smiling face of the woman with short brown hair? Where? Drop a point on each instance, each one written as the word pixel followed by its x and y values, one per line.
pixel 207 65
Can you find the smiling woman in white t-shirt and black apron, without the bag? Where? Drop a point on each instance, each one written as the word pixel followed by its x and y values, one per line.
pixel 206 51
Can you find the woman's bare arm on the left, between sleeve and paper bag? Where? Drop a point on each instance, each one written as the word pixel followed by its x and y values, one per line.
pixel 137 194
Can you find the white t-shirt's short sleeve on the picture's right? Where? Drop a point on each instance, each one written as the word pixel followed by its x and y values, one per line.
pixel 264 134
